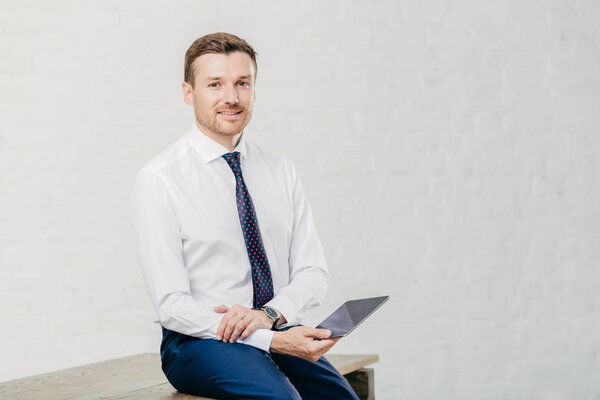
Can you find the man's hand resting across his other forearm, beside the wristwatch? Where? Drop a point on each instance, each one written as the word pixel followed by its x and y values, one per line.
pixel 240 322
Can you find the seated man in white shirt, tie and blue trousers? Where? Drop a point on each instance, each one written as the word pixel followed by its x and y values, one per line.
pixel 228 248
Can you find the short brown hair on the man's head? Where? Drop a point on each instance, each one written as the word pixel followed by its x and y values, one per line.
pixel 220 42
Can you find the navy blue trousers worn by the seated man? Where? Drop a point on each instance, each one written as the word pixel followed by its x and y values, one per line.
pixel 206 367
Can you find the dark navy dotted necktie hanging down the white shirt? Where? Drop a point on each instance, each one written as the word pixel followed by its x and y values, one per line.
pixel 261 271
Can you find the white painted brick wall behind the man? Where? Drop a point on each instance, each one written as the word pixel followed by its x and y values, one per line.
pixel 449 150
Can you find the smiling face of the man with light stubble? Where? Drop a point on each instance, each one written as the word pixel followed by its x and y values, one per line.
pixel 223 93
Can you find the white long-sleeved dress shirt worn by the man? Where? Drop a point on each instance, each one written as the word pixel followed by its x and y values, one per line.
pixel 190 244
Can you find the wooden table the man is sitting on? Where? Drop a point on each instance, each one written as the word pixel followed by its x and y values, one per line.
pixel 141 378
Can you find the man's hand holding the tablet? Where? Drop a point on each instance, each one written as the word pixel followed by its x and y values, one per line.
pixel 299 341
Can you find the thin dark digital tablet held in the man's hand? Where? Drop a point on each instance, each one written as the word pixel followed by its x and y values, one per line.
pixel 351 314
